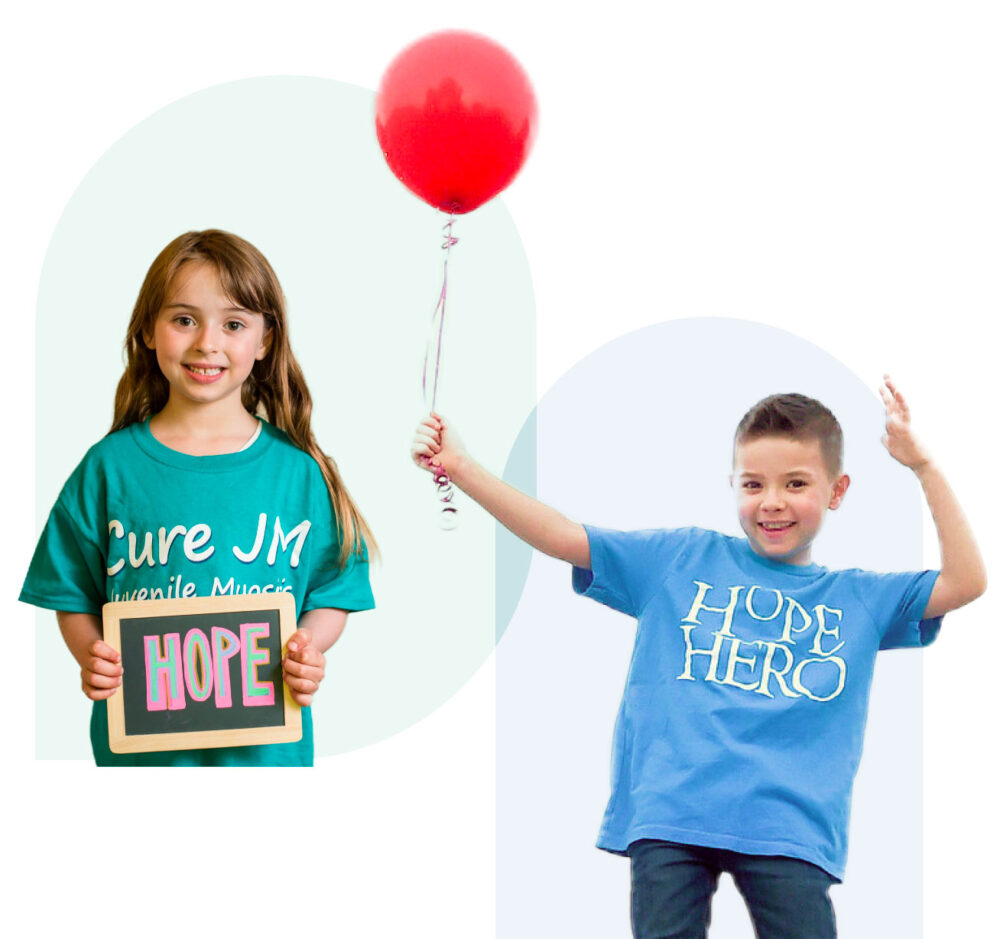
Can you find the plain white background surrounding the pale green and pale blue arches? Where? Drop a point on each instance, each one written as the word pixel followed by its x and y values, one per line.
pixel 828 170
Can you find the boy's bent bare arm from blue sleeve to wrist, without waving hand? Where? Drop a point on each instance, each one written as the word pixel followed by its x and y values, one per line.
pixel 963 573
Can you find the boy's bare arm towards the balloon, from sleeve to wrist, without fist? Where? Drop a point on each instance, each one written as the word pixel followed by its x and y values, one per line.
pixel 532 521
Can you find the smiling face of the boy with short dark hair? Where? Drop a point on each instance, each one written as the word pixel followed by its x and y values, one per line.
pixel 783 489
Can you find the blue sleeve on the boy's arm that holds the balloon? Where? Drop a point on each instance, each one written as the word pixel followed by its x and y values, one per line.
pixel 627 567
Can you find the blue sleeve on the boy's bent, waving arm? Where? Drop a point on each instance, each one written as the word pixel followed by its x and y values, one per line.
pixel 897 603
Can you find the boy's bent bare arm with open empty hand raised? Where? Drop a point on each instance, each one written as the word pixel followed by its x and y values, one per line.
pixel 963 574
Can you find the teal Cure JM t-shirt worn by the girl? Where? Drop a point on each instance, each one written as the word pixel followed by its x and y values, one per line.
pixel 137 520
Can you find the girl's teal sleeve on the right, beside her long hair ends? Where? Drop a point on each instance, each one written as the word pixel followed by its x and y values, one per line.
pixel 329 585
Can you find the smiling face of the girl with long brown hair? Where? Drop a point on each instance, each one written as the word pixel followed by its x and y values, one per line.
pixel 205 344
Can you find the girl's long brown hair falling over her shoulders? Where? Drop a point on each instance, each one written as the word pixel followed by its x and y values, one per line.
pixel 276 388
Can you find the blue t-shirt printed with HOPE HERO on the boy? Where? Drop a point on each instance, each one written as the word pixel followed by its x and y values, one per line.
pixel 744 710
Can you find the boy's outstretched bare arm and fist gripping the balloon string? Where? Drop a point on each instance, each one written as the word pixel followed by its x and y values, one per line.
pixel 541 526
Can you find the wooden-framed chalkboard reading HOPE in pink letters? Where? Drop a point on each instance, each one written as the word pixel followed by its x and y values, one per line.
pixel 201 672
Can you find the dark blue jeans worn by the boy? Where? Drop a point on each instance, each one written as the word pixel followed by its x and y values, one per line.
pixel 673 884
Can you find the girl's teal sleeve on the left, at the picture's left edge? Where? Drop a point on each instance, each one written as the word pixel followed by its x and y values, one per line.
pixel 67 571
